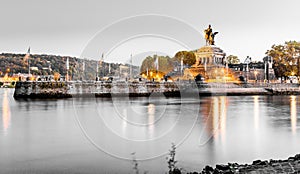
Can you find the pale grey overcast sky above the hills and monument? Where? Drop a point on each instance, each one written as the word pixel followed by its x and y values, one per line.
pixel 246 27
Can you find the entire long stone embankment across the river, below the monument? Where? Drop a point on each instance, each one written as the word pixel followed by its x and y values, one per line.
pixel 43 90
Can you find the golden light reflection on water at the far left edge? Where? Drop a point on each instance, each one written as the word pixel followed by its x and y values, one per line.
pixel 5 112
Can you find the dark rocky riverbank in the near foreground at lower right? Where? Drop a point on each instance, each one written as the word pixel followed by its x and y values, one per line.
pixel 290 165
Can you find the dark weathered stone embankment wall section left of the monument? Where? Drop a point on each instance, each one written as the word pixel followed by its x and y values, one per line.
pixel 98 89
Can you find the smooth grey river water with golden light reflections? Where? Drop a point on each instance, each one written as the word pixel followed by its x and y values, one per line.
pixel 98 135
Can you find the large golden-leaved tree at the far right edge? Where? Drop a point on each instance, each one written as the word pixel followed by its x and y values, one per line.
pixel 285 58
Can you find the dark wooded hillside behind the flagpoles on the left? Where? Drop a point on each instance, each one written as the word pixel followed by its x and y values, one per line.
pixel 49 64
